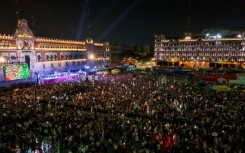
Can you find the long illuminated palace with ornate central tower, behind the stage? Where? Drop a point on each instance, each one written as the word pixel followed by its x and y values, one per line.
pixel 45 55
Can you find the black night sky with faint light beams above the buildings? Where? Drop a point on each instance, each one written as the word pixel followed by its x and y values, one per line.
pixel 121 21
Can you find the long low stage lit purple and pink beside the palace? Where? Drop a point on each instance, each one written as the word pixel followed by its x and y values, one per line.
pixel 66 78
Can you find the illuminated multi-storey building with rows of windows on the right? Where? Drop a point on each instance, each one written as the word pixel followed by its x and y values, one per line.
pixel 200 52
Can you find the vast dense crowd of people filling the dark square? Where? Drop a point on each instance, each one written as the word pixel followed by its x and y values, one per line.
pixel 120 113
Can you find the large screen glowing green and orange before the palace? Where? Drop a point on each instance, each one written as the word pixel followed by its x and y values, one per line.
pixel 15 72
